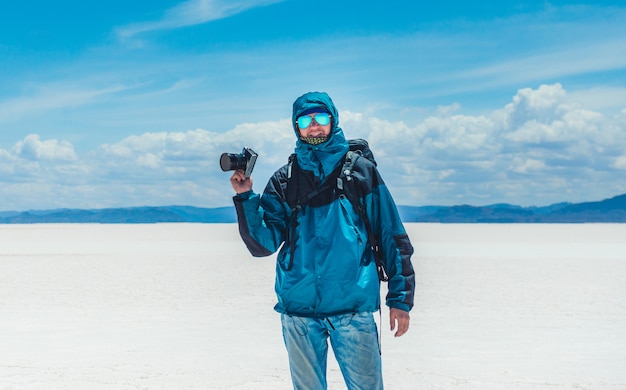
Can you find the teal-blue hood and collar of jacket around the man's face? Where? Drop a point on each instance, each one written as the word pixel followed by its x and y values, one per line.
pixel 321 159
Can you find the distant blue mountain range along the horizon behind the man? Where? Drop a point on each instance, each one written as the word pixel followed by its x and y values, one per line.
pixel 608 210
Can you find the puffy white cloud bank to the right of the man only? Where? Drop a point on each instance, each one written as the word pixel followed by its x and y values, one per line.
pixel 536 150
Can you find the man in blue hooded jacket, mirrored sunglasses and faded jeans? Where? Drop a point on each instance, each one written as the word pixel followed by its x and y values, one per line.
pixel 327 282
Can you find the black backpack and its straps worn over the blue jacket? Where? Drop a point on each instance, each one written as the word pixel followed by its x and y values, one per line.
pixel 346 185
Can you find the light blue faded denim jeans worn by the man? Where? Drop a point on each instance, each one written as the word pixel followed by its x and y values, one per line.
pixel 354 339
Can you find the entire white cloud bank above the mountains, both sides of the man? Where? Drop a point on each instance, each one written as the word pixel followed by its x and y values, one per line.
pixel 539 149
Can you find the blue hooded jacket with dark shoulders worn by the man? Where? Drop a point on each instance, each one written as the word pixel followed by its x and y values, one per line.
pixel 333 269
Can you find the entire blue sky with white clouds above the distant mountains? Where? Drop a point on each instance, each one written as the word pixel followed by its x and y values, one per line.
pixel 115 103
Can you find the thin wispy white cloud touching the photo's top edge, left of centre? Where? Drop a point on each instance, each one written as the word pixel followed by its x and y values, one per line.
pixel 192 12
